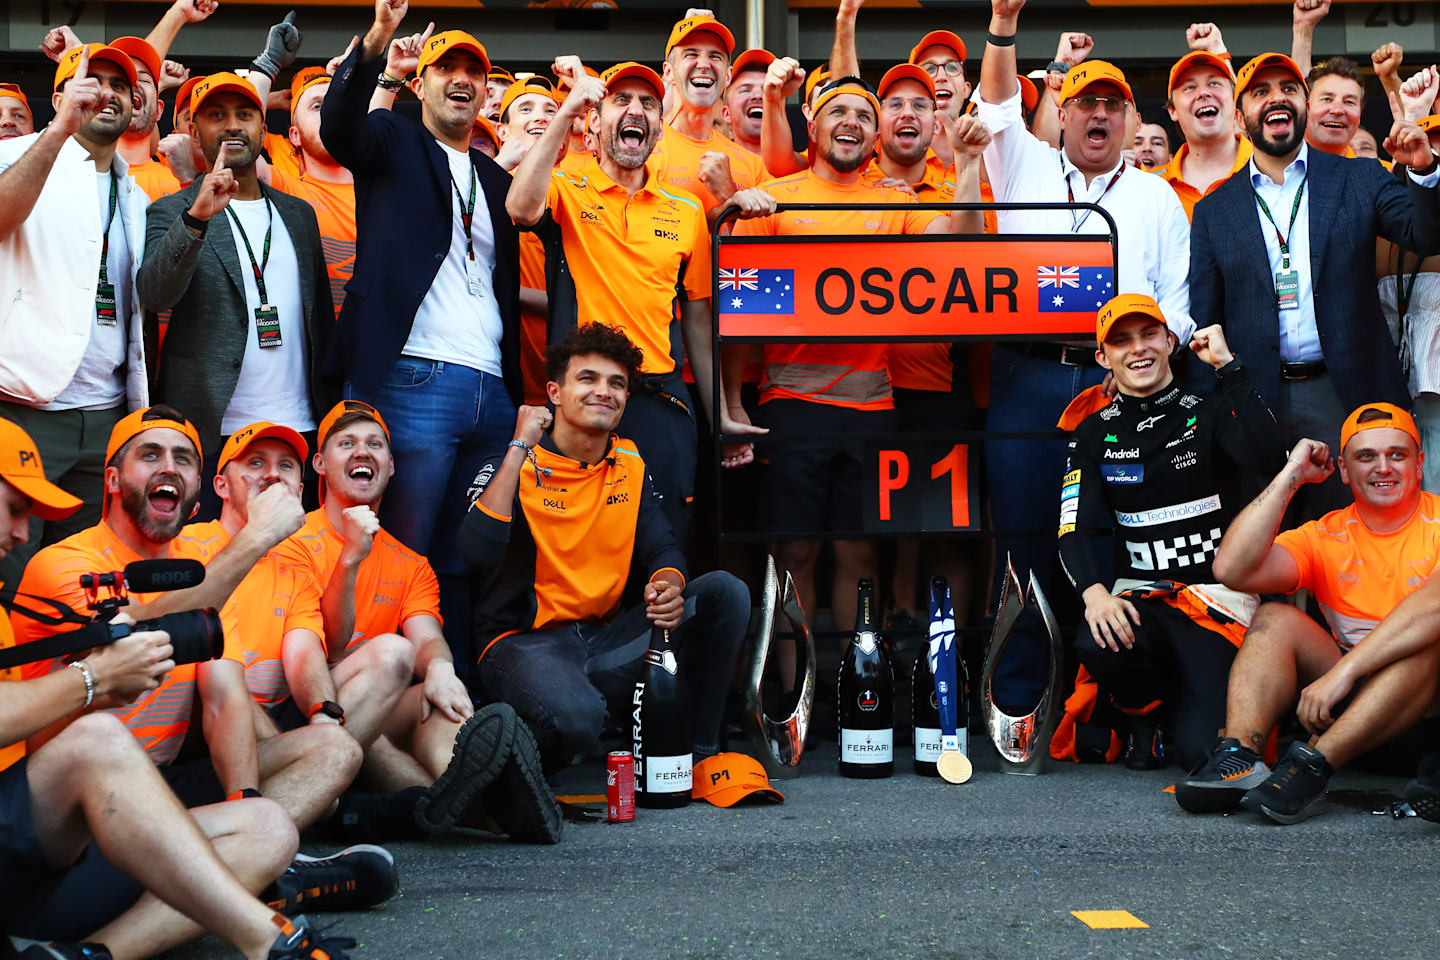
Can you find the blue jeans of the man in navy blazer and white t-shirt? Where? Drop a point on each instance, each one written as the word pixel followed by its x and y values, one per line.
pixel 444 420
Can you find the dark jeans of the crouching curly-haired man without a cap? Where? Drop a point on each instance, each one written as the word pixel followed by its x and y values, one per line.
pixel 564 681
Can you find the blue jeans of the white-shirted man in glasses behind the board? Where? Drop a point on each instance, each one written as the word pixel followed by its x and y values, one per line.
pixel 1030 394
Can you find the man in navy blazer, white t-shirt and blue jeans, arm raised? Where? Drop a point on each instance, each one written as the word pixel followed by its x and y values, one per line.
pixel 430 332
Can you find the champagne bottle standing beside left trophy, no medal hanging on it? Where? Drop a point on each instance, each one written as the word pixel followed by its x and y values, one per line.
pixel 866 697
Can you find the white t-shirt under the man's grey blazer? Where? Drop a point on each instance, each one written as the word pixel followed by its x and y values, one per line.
pixel 274 385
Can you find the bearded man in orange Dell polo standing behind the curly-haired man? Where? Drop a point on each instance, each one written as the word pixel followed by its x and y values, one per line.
pixel 623 243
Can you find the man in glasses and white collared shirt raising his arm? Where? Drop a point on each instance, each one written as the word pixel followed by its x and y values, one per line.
pixel 1033 382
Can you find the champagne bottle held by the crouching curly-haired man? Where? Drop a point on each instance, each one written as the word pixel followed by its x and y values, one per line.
pixel 662 743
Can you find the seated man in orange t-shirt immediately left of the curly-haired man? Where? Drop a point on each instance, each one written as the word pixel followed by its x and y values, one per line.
pixel 381 610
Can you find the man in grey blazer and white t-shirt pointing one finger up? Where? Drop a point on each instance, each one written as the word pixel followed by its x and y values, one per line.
pixel 243 273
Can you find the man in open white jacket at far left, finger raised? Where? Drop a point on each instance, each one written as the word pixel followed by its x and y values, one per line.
pixel 71 237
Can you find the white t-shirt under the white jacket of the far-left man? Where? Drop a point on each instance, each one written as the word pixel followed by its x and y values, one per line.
pixel 100 381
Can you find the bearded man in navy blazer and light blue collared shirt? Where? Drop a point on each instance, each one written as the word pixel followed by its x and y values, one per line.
pixel 1284 253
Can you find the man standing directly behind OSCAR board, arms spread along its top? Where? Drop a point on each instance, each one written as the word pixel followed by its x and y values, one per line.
pixel 830 389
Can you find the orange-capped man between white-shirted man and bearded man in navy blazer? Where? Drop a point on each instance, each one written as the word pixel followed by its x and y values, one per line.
pixel 1203 103
